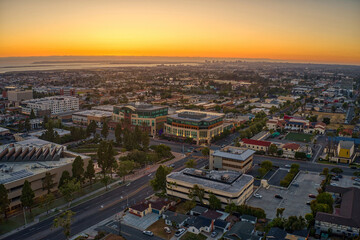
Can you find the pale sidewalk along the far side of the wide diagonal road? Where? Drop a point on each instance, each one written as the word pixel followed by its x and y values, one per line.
pixel 136 175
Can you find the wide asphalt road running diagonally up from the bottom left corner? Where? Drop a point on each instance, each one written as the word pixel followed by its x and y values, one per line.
pixel 91 212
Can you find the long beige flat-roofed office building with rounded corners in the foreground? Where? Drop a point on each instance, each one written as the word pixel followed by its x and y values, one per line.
pixel 228 186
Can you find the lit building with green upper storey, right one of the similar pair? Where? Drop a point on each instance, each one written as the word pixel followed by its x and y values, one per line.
pixel 198 125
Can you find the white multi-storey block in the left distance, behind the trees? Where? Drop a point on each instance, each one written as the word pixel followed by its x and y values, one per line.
pixel 55 105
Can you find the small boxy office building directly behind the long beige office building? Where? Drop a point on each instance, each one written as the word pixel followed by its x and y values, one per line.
pixel 231 158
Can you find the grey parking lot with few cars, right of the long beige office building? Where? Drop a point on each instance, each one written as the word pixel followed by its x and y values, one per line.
pixel 294 199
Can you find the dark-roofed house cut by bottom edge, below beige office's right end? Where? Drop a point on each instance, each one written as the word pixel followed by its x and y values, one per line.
pixel 243 231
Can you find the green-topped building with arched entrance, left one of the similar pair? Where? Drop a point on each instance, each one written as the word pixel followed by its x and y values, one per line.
pixel 146 116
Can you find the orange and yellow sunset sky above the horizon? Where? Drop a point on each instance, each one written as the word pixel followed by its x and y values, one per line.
pixel 306 30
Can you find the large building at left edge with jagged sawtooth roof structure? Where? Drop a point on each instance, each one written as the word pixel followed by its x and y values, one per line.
pixel 31 160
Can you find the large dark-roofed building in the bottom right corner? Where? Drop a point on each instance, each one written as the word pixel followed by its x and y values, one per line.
pixel 346 219
